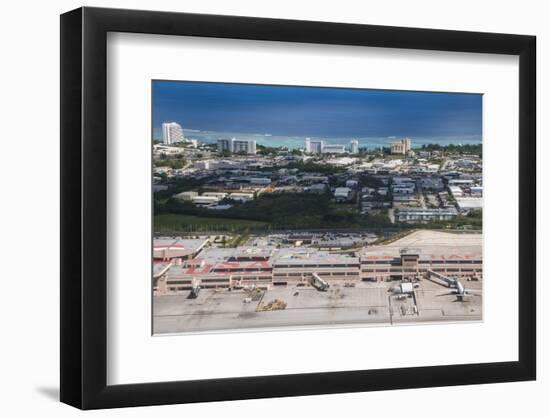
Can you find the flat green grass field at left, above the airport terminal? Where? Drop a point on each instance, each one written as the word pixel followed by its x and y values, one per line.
pixel 187 223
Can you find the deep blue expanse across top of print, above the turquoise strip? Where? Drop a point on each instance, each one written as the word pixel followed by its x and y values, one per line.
pixel 306 111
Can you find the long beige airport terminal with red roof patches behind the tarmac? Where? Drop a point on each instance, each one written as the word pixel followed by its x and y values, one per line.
pixel 182 263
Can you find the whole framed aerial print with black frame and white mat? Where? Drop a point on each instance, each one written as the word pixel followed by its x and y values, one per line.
pixel 258 207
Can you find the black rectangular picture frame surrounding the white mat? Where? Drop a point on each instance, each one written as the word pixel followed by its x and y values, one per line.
pixel 84 207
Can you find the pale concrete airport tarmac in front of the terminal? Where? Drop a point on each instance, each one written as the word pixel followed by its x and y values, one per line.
pixel 365 304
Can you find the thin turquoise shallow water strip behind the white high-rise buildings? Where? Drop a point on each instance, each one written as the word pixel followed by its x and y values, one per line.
pixel 297 142
